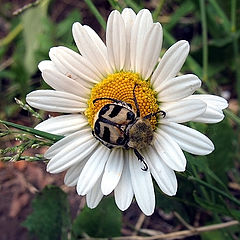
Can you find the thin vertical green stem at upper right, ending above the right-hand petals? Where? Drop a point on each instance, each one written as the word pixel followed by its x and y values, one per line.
pixel 204 40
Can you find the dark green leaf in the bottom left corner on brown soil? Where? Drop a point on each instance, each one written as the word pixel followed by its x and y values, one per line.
pixel 50 219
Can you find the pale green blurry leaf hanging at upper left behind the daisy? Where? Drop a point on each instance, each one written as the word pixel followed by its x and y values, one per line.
pixel 33 28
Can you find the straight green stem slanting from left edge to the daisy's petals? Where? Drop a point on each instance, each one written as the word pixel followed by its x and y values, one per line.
pixel 42 134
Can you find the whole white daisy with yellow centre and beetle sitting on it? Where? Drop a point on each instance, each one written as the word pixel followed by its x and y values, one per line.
pixel 98 152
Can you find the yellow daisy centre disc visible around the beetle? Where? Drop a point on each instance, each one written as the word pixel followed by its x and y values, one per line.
pixel 120 86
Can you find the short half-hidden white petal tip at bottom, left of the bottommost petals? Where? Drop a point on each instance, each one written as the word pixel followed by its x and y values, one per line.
pixel 95 195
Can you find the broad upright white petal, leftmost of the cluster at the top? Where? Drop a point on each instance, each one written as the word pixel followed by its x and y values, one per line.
pixel 116 40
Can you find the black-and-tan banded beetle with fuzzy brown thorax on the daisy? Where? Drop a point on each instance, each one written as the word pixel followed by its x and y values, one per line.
pixel 116 124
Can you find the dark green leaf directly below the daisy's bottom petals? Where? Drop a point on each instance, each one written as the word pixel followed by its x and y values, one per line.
pixel 103 221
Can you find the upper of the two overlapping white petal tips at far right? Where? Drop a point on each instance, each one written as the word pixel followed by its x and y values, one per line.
pixel 211 100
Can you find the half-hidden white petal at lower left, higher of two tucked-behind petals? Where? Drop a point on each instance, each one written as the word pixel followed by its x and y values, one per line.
pixel 73 173
